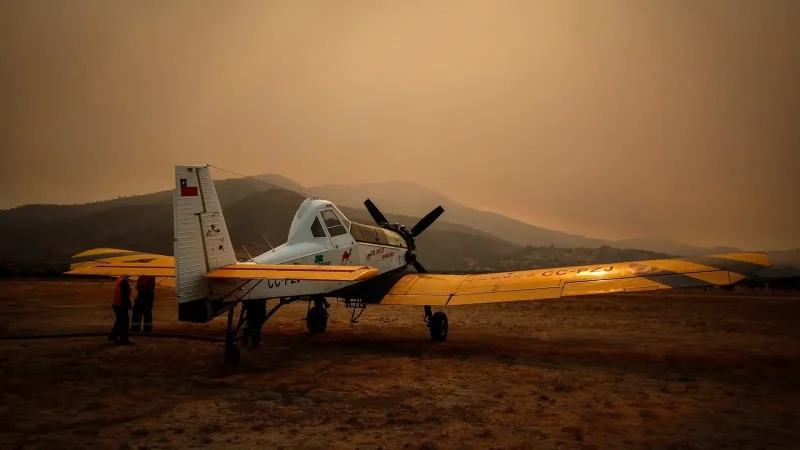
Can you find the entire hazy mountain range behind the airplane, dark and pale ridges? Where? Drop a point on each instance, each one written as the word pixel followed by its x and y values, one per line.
pixel 263 206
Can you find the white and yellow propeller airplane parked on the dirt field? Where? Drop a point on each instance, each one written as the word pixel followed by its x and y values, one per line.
pixel 326 255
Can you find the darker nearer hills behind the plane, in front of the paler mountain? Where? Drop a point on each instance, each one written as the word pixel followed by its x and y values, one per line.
pixel 148 227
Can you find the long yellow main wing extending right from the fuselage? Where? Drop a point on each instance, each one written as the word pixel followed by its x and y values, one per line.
pixel 540 284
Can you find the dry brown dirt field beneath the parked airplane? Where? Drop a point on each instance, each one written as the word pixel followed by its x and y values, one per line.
pixel 685 370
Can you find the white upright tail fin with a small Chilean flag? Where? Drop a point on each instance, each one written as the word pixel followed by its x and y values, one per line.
pixel 201 241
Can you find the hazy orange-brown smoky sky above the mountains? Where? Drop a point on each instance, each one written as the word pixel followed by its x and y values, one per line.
pixel 611 118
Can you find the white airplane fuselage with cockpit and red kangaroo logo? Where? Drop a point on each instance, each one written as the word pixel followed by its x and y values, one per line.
pixel 321 234
